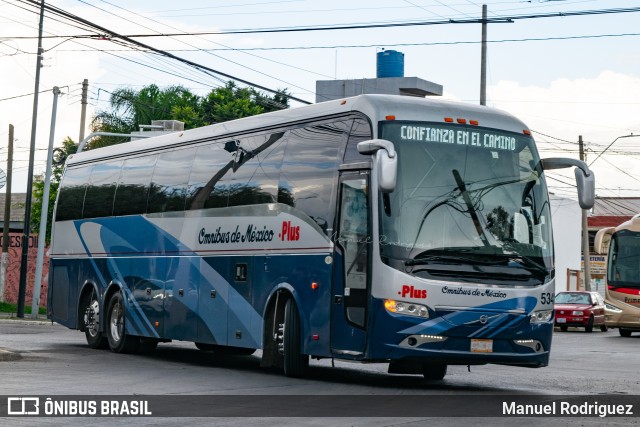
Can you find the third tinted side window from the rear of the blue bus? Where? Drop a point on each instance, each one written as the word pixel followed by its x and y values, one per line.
pixel 133 186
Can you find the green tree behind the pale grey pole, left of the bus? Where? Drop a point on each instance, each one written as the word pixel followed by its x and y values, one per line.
pixel 60 154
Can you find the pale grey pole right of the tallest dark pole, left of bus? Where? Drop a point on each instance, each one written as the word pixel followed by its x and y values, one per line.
pixel 44 214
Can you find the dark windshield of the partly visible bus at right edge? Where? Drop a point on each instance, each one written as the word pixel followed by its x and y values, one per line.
pixel 624 259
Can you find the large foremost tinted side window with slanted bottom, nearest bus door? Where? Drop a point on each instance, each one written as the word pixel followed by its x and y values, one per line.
pixel 309 171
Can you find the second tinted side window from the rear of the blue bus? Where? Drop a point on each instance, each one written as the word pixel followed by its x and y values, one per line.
pixel 98 200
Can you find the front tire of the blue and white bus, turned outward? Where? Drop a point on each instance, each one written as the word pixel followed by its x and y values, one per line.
pixel 295 363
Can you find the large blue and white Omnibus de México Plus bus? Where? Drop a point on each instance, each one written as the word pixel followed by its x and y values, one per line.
pixel 401 230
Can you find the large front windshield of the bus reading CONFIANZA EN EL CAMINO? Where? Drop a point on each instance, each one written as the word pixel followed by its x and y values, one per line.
pixel 469 201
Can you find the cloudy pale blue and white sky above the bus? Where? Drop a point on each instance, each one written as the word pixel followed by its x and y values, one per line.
pixel 565 76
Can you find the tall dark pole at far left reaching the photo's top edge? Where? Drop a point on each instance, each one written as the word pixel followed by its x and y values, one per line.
pixel 22 289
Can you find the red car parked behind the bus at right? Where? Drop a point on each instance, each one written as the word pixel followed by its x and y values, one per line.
pixel 581 309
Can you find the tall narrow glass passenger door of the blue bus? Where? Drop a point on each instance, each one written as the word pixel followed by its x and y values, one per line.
pixel 351 281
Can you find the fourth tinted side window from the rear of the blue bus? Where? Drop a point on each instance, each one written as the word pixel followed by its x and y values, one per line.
pixel 168 188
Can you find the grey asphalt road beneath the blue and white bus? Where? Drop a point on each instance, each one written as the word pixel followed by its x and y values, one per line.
pixel 47 359
